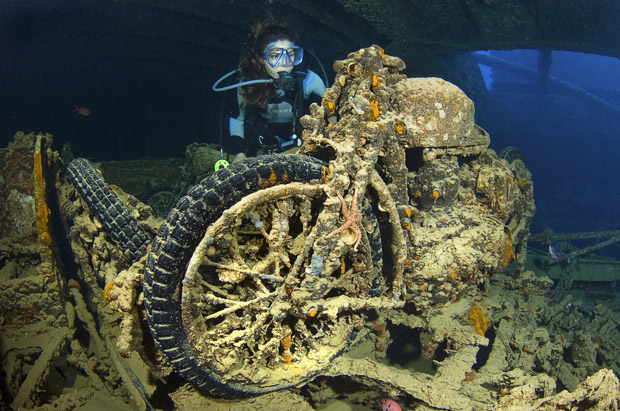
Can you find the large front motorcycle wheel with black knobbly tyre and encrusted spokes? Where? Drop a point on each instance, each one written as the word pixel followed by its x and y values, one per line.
pixel 238 296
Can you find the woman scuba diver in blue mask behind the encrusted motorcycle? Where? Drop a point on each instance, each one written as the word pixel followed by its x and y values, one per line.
pixel 272 95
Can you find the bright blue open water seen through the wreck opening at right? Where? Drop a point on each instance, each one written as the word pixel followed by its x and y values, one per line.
pixel 571 146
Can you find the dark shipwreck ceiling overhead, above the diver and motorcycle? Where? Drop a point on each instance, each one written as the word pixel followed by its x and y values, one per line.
pixel 197 35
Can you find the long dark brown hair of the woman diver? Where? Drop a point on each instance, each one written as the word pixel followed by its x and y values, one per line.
pixel 251 63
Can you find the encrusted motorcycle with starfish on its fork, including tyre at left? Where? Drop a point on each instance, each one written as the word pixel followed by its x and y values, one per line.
pixel 267 270
